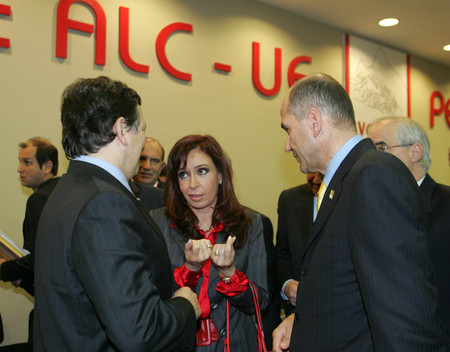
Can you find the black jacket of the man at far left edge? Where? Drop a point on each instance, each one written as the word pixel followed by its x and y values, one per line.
pixel 23 268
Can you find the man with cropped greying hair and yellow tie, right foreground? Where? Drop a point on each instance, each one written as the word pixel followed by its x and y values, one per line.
pixel 367 279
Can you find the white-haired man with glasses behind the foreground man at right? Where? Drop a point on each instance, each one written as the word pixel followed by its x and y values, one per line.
pixel 407 140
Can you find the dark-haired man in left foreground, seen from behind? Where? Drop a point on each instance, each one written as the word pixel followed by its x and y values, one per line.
pixel 103 276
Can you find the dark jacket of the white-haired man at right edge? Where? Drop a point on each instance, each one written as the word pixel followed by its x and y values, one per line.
pixel 437 205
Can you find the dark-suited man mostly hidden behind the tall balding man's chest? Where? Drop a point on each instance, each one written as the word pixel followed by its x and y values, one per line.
pixel 296 213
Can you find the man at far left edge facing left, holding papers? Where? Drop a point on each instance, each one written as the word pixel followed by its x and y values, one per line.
pixel 38 167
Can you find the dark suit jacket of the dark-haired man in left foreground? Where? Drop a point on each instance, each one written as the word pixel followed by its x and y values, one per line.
pixel 103 278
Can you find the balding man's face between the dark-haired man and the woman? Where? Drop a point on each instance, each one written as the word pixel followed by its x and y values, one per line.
pixel 151 162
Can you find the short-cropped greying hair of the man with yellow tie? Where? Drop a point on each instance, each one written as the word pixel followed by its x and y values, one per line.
pixel 324 93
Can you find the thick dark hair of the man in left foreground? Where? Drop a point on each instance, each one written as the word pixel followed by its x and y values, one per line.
pixel 89 109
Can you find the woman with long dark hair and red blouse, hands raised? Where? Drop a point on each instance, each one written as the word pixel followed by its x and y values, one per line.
pixel 216 245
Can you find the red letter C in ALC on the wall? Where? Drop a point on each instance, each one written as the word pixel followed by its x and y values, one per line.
pixel 161 41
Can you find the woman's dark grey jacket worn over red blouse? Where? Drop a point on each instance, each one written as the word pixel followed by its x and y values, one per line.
pixel 251 260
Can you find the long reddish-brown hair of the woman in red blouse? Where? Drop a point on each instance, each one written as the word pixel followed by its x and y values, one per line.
pixel 228 210
